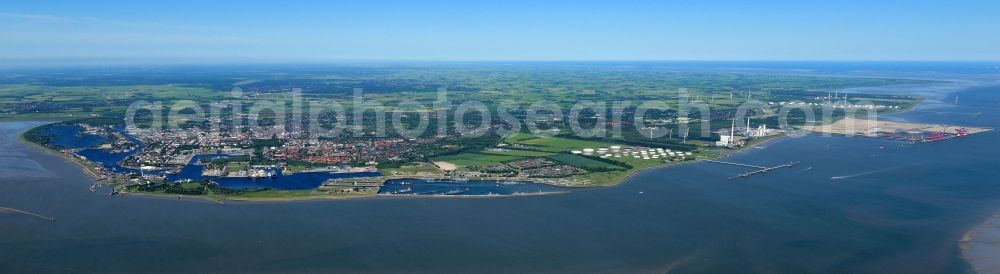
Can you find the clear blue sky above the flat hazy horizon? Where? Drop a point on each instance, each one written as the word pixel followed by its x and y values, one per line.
pixel 501 30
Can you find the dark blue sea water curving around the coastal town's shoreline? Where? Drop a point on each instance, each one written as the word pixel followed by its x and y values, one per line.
pixel 853 205
